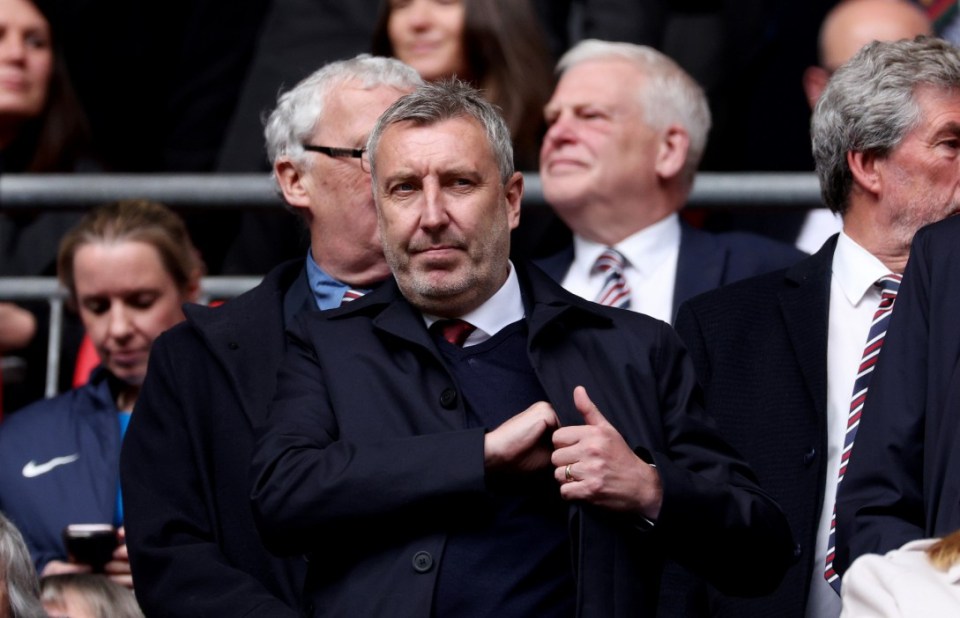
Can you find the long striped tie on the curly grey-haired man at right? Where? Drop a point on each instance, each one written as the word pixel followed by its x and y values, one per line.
pixel 889 285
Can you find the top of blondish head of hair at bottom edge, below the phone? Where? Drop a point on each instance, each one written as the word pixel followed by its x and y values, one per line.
pixel 103 597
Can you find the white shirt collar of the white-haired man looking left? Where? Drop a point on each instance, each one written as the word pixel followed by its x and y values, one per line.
pixel 644 250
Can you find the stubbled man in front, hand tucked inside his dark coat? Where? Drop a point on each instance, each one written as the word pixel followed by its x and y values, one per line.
pixel 492 444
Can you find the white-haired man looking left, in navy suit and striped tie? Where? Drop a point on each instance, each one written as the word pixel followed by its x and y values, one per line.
pixel 627 128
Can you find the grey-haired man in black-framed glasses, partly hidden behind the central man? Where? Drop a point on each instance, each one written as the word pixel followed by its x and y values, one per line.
pixel 193 545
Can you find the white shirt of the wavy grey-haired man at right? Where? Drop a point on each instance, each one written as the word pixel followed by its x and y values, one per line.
pixel 853 300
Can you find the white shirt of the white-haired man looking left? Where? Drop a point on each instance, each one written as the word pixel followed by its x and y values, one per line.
pixel 651 268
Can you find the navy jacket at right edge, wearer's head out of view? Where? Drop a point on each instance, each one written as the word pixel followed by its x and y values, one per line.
pixel 903 482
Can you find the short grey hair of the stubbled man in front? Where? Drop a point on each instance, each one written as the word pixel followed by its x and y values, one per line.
pixel 445 100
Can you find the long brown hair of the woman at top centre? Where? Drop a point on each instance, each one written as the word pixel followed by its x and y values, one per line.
pixel 508 60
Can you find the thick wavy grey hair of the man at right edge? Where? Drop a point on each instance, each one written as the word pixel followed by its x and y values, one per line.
pixel 870 105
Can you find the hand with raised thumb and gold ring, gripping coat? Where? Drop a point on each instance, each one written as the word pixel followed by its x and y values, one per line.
pixel 595 464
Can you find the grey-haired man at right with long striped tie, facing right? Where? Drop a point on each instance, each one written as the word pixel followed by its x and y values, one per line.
pixel 785 358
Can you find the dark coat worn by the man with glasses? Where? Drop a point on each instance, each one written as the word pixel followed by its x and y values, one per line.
pixel 193 545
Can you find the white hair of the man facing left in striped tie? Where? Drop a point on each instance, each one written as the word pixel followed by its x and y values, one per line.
pixel 668 95
